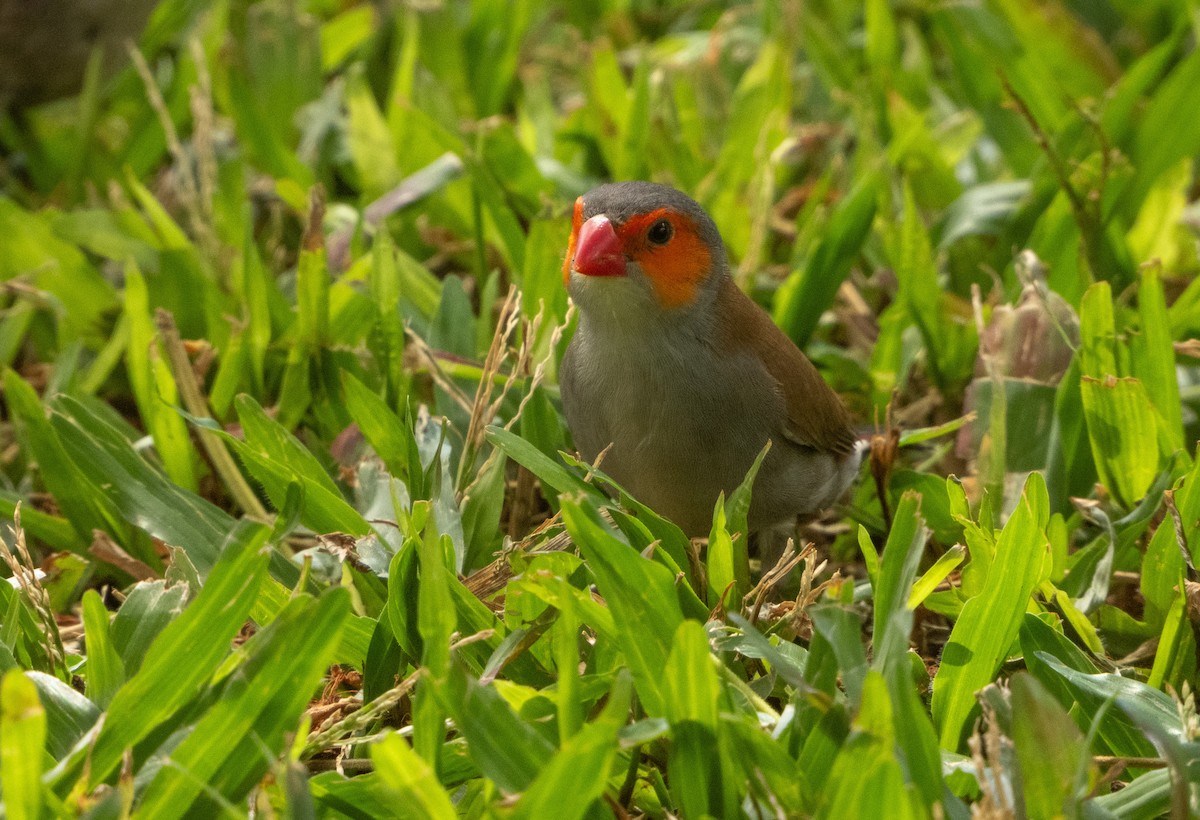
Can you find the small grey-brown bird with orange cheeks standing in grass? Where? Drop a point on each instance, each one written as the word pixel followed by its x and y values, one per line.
pixel 683 375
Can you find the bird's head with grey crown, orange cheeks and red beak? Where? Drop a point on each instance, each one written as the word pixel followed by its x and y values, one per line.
pixel 641 248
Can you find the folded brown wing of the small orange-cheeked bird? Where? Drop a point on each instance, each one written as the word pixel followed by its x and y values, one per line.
pixel 815 415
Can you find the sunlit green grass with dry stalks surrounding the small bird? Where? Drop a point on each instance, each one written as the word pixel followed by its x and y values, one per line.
pixel 281 324
